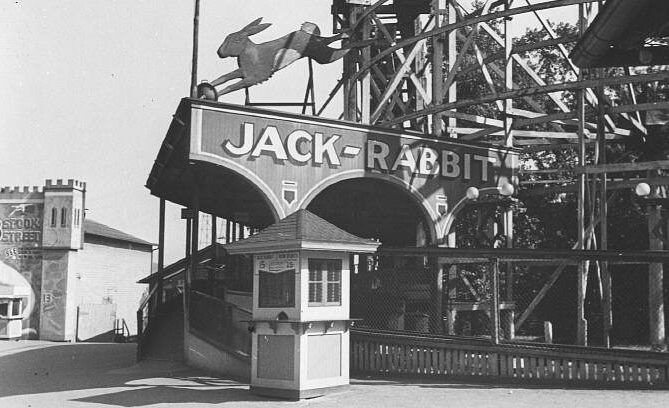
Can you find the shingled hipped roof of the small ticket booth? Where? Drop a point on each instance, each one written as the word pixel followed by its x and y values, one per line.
pixel 302 226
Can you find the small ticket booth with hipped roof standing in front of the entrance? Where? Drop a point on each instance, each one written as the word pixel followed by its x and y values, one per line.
pixel 301 286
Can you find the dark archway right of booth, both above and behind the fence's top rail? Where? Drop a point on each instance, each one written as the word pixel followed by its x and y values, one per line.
pixel 382 286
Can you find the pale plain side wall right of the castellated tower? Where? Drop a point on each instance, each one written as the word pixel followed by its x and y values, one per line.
pixel 108 274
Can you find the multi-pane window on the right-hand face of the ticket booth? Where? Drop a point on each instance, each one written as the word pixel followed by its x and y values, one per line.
pixel 324 282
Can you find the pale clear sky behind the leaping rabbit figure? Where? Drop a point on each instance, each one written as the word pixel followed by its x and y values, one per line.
pixel 87 90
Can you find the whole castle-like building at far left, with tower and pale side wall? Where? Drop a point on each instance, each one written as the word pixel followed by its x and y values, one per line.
pixel 65 277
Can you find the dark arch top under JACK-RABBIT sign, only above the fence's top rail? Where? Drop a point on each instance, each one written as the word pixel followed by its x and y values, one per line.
pixel 373 208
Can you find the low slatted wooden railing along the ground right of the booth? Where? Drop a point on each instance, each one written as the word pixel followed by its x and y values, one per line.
pixel 392 353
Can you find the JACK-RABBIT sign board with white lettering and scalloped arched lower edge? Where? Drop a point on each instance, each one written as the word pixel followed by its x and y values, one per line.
pixel 311 154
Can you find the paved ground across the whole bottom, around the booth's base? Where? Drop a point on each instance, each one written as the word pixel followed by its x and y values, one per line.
pixel 38 374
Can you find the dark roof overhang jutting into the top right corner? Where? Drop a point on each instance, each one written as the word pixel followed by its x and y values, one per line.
pixel 622 34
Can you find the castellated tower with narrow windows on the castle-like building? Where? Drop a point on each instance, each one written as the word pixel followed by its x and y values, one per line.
pixel 62 237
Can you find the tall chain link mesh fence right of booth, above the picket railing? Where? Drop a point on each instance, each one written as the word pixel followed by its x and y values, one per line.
pixel 537 302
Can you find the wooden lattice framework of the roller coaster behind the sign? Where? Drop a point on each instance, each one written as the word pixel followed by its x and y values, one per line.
pixel 420 50
